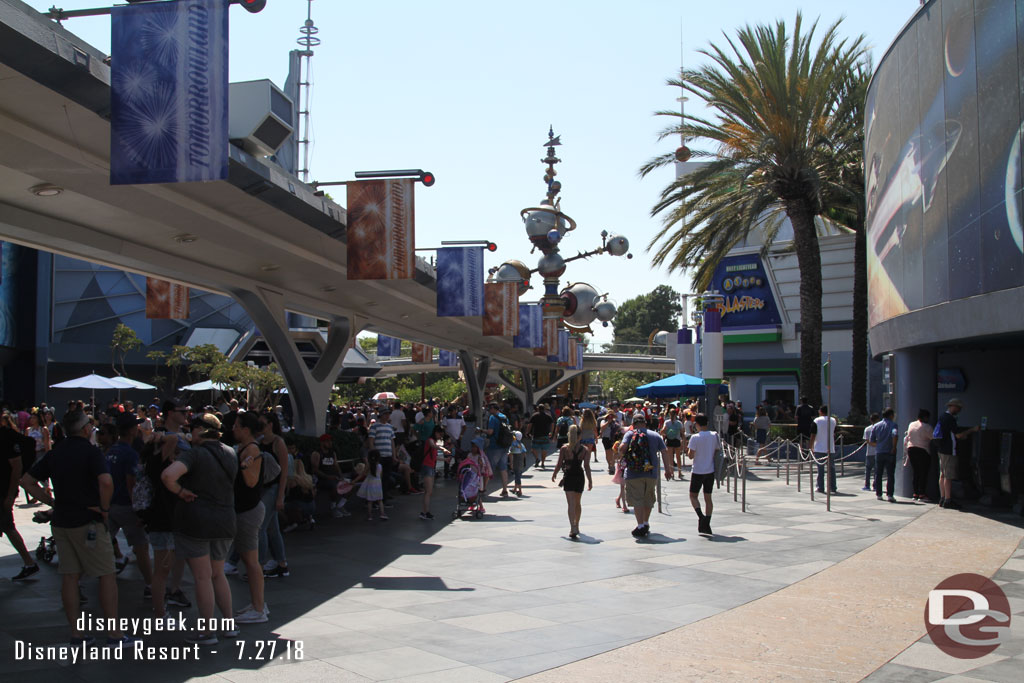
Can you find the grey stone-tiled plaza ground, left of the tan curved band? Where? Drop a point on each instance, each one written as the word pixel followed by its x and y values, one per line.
pixel 504 597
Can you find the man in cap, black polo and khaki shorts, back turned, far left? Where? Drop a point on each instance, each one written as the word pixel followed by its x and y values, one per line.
pixel 81 501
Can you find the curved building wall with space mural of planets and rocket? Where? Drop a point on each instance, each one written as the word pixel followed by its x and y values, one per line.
pixel 943 156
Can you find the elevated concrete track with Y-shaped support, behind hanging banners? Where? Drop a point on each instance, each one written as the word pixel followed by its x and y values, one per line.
pixel 262 237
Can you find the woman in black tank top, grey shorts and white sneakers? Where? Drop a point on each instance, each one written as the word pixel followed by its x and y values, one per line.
pixel 249 513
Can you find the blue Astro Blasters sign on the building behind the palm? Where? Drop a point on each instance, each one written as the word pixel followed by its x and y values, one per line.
pixel 749 302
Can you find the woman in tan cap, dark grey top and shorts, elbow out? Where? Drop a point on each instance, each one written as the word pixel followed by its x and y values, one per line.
pixel 203 480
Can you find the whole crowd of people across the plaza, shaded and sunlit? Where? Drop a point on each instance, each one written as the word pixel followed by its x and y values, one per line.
pixel 217 490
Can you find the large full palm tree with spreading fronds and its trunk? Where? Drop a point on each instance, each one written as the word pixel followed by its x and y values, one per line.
pixel 774 97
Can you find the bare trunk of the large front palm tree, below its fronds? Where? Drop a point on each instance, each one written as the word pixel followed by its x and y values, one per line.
pixel 805 238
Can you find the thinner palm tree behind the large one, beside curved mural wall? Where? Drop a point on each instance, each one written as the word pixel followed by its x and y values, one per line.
pixel 847 208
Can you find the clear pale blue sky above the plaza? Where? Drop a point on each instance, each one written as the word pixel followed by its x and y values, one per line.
pixel 468 90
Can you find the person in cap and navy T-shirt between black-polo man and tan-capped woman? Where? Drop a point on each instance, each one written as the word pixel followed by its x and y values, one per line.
pixel 122 461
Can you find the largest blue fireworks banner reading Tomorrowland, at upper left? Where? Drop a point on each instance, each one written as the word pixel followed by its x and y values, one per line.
pixel 169 93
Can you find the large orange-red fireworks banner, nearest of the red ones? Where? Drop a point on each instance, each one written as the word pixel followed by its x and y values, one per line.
pixel 381 235
